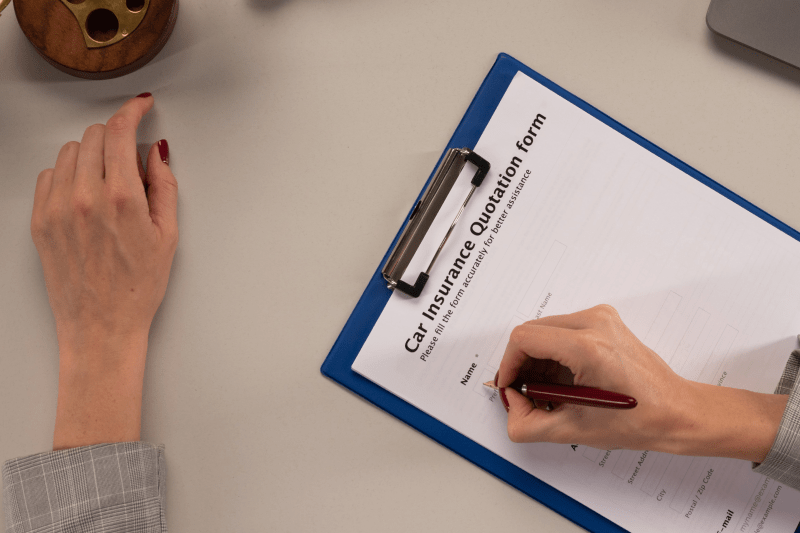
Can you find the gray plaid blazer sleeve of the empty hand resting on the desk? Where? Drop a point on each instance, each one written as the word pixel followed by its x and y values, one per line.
pixel 102 488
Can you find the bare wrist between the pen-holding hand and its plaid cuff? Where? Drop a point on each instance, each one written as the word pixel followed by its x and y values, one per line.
pixel 725 422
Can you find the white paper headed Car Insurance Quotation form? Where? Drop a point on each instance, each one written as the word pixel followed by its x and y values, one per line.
pixel 571 215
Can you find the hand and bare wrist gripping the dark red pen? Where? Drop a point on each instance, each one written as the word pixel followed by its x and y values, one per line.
pixel 594 348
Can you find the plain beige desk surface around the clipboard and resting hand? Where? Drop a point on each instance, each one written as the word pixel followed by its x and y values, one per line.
pixel 301 132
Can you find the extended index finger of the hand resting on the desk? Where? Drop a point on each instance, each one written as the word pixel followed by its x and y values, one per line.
pixel 119 156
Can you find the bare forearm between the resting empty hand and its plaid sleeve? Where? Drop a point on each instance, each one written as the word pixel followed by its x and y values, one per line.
pixel 99 392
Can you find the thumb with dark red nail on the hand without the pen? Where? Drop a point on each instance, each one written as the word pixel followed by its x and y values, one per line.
pixel 162 187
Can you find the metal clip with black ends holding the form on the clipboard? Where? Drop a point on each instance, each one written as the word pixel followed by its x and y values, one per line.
pixel 425 212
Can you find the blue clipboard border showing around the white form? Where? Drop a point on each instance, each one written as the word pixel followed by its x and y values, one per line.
pixel 337 365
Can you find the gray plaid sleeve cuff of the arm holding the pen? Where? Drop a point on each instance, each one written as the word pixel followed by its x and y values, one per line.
pixel 783 460
